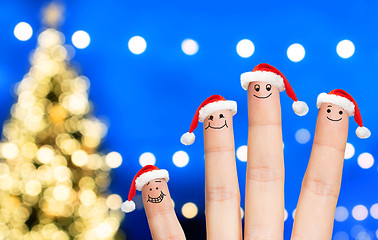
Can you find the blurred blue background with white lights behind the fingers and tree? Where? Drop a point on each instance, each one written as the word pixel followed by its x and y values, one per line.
pixel 150 64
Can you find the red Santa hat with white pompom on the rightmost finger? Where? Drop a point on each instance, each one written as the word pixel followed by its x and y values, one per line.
pixel 344 100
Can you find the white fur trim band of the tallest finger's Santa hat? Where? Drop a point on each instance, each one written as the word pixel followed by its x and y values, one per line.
pixel 262 76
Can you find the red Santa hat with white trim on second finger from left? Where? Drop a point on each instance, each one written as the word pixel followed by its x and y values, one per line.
pixel 212 104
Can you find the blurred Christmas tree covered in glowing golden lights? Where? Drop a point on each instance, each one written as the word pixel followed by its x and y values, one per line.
pixel 53 181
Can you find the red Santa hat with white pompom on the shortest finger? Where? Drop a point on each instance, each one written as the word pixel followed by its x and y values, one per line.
pixel 143 176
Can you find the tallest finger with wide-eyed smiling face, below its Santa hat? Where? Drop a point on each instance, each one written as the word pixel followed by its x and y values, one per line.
pixel 265 167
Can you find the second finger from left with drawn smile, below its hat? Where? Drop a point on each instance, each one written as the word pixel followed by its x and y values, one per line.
pixel 223 219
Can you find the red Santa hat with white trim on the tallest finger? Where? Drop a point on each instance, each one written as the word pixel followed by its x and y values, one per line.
pixel 266 73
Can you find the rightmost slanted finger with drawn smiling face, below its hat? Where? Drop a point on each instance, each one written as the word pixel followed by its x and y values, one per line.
pixel 321 184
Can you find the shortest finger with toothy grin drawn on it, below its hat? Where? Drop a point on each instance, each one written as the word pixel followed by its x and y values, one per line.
pixel 160 213
